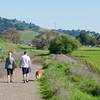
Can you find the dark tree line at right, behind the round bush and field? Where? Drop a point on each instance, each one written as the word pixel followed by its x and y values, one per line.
pixel 87 38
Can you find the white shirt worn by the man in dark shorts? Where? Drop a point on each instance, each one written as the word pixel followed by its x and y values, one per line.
pixel 25 59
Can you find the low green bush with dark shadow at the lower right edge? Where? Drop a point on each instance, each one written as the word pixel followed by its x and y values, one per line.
pixel 90 87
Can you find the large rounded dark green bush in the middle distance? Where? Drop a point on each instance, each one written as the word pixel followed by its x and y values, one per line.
pixel 63 44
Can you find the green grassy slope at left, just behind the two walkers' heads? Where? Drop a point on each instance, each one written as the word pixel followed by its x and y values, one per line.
pixel 15 48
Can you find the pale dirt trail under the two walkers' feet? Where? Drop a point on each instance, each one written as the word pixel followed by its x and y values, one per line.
pixel 18 90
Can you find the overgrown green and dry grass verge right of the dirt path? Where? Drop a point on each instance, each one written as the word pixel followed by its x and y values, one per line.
pixel 58 84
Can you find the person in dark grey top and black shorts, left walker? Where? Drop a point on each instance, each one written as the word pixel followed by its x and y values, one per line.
pixel 10 66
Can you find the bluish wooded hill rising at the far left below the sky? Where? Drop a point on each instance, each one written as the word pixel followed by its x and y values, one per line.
pixel 5 24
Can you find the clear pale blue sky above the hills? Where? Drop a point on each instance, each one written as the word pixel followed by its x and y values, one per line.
pixel 58 14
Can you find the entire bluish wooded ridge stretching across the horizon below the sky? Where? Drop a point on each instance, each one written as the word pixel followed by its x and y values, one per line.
pixel 5 24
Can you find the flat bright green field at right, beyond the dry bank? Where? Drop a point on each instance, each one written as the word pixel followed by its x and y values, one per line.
pixel 90 56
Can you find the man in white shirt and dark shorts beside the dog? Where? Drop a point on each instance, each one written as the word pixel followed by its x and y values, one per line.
pixel 25 64
